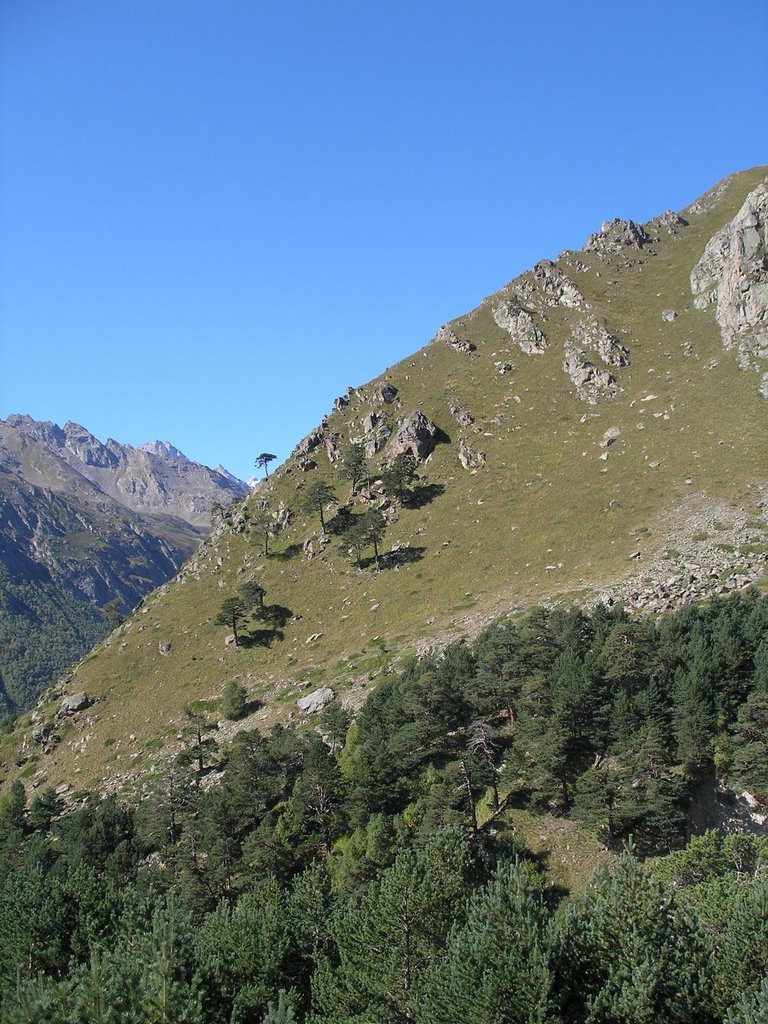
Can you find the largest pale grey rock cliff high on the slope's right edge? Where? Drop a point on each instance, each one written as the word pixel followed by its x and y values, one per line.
pixel 734 275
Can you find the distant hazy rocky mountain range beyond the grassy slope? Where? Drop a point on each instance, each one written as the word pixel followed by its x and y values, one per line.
pixel 82 524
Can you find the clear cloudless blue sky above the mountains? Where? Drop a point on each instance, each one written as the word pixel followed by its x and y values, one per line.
pixel 217 216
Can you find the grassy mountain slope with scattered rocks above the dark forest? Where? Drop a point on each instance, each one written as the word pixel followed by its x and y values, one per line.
pixel 599 430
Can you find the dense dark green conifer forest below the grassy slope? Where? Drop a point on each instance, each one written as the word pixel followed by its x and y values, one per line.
pixel 367 873
